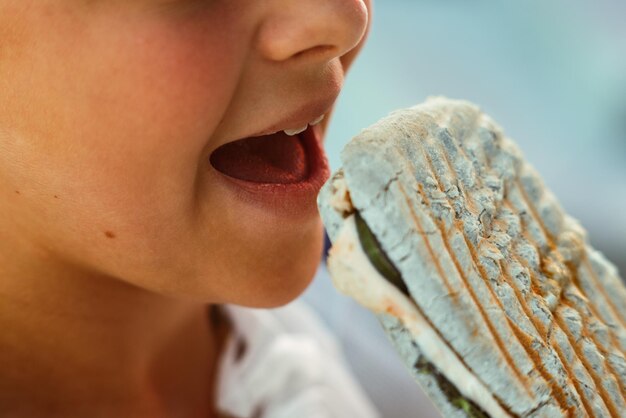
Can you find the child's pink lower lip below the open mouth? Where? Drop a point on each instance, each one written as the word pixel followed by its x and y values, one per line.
pixel 294 199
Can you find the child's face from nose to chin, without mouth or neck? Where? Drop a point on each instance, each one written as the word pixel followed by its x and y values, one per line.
pixel 110 110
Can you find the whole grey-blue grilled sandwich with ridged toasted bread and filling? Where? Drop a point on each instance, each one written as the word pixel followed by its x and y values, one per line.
pixel 491 294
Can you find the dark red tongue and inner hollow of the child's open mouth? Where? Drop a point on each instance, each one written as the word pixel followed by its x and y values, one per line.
pixel 276 158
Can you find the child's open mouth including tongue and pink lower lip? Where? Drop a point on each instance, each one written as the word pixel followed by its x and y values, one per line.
pixel 277 172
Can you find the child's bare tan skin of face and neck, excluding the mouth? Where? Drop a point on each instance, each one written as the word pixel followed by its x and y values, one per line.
pixel 115 234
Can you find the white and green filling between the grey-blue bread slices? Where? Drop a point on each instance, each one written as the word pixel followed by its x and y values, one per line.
pixel 360 269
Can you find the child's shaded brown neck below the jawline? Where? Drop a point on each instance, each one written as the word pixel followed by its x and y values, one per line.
pixel 70 337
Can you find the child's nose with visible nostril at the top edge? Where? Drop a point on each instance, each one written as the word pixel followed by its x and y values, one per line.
pixel 311 29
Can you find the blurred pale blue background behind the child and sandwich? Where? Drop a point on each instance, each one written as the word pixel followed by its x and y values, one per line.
pixel 552 73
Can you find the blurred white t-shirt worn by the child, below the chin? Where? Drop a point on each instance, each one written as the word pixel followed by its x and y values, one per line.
pixel 292 366
